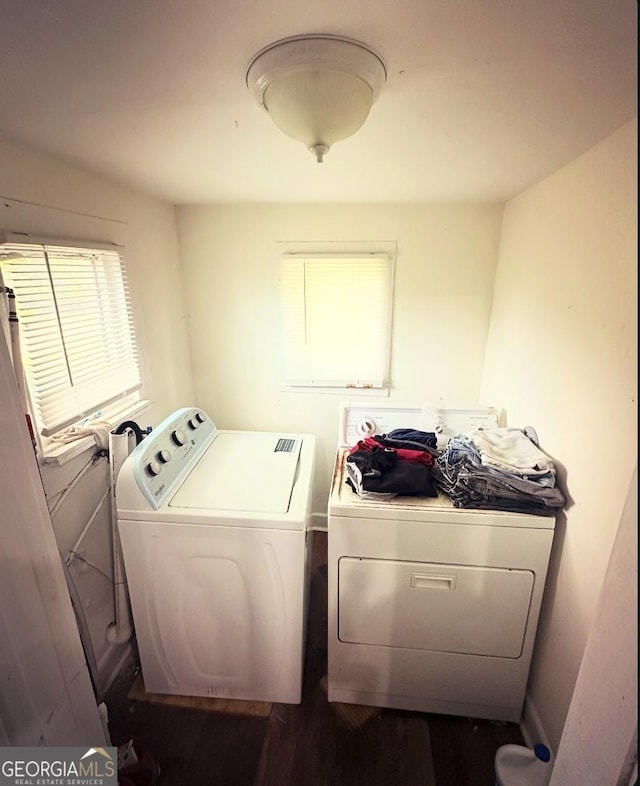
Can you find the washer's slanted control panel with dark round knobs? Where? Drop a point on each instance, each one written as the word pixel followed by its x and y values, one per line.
pixel 167 454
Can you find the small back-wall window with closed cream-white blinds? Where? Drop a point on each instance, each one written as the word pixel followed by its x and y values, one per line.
pixel 337 320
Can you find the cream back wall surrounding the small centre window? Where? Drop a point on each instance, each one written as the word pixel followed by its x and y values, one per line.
pixel 445 266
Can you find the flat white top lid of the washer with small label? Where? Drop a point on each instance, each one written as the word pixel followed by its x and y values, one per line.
pixel 246 471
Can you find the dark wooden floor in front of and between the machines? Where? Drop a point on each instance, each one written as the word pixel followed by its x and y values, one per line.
pixel 309 744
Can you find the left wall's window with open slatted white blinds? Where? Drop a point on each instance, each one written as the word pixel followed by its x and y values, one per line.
pixel 76 329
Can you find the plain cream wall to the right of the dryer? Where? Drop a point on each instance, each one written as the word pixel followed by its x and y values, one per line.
pixel 562 356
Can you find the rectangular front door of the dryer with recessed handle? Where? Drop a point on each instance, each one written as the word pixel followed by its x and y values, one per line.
pixel 435 607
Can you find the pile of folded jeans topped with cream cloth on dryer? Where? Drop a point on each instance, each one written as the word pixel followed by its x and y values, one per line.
pixel 499 469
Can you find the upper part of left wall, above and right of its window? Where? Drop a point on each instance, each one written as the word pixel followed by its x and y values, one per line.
pixel 41 195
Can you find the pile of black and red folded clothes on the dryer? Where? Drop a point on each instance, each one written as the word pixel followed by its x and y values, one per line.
pixel 398 463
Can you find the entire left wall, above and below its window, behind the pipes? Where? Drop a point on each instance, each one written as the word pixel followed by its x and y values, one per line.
pixel 43 196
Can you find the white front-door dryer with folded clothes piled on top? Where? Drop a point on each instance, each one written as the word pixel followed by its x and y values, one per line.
pixel 431 607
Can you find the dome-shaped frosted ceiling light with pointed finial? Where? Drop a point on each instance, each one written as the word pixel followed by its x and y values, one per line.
pixel 317 89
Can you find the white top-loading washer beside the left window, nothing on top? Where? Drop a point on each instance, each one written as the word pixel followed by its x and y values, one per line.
pixel 213 526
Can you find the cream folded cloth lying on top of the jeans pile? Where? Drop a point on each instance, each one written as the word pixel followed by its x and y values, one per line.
pixel 510 450
